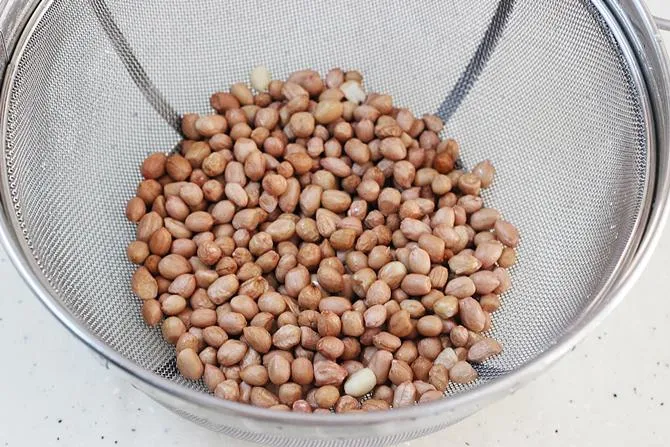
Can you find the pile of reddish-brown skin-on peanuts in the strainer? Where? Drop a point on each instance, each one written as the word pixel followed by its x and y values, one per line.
pixel 312 248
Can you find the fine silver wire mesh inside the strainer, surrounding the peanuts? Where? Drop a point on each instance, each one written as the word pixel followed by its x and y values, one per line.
pixel 555 109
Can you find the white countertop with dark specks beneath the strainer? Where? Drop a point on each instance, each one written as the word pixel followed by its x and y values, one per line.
pixel 613 389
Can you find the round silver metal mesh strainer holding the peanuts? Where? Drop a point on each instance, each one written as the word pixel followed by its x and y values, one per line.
pixel 569 98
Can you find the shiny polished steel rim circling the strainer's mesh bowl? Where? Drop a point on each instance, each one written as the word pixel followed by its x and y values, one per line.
pixel 635 256
